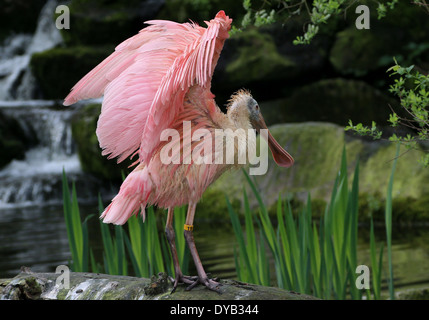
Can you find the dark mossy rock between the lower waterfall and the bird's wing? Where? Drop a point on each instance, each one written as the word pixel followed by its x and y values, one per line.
pixel 84 125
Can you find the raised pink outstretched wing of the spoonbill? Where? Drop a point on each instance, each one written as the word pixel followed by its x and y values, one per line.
pixel 146 79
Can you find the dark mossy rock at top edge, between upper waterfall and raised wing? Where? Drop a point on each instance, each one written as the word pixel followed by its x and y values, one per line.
pixel 102 22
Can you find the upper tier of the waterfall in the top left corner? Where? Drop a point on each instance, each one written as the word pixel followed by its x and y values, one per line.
pixel 16 79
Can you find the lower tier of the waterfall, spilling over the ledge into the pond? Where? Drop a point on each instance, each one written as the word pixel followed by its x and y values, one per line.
pixel 37 178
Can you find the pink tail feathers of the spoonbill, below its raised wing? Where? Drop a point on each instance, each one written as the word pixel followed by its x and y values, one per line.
pixel 132 197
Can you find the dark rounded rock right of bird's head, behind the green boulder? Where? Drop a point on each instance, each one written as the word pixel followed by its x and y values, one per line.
pixel 334 100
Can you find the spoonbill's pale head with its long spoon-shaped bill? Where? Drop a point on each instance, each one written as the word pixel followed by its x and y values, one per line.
pixel 243 108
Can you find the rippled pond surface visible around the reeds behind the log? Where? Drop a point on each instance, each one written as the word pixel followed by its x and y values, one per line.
pixel 36 237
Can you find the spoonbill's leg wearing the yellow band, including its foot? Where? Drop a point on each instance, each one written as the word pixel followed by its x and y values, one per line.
pixel 202 276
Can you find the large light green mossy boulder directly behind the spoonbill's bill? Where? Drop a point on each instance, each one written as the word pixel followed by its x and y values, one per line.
pixel 313 171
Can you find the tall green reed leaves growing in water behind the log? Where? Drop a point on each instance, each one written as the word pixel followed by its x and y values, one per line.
pixel 314 257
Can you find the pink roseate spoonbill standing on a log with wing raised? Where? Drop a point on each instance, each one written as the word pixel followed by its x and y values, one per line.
pixel 153 81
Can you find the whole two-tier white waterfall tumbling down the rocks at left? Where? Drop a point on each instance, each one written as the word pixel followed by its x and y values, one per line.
pixel 36 179
